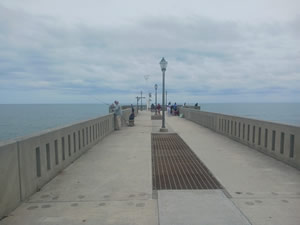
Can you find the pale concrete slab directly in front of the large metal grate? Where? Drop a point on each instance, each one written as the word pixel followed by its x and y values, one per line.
pixel 198 207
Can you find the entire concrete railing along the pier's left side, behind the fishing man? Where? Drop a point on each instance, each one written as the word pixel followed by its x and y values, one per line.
pixel 27 164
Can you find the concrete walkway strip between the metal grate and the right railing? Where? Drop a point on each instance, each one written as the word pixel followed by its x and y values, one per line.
pixel 265 189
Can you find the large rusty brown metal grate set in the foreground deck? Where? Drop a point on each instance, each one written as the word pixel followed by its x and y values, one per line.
pixel 176 166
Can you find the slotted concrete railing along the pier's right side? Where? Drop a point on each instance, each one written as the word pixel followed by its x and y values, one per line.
pixel 277 140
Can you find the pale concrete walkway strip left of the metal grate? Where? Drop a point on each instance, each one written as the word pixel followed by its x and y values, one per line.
pixel 109 184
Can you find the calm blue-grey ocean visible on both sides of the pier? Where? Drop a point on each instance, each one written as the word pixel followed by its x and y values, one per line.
pixel 26 119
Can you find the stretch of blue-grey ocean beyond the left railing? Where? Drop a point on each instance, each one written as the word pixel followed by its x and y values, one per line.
pixel 26 119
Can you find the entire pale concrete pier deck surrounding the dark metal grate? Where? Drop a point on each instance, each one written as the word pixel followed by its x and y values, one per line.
pixel 112 184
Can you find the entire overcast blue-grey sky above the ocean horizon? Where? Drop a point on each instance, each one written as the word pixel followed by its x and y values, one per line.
pixel 92 51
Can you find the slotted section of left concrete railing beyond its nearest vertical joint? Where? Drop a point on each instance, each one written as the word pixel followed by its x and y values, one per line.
pixel 30 182
